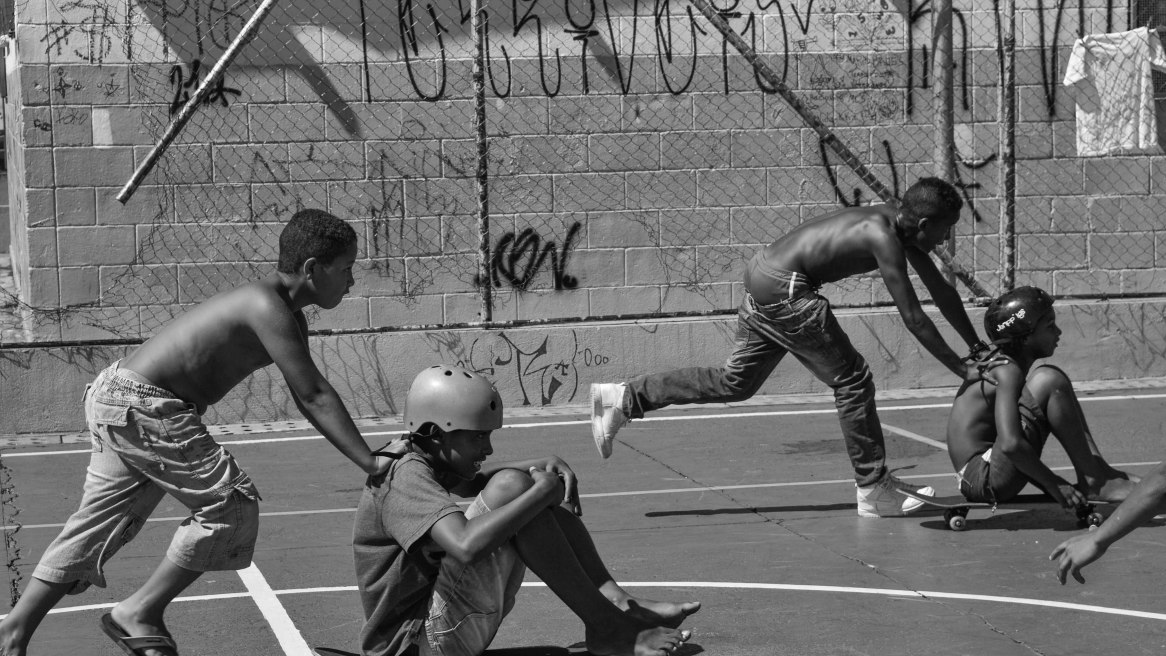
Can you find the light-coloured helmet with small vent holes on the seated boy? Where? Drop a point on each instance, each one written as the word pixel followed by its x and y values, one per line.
pixel 453 399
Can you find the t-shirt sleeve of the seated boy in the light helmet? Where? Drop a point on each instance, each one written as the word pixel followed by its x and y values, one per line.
pixel 415 503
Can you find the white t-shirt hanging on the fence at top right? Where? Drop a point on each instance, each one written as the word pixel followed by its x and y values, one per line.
pixel 1111 79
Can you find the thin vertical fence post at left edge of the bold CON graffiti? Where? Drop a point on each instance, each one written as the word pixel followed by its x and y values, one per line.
pixel 477 23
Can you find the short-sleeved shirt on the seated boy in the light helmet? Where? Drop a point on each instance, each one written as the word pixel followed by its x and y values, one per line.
pixel 397 562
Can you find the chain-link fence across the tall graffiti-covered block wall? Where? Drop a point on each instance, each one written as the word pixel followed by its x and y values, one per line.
pixel 633 156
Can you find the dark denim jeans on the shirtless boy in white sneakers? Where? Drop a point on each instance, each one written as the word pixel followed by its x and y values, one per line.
pixel 805 327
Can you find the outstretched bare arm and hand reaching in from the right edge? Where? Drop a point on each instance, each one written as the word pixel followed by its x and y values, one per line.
pixel 1147 500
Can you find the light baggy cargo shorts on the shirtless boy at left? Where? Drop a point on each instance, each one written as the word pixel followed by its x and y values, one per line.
pixel 147 445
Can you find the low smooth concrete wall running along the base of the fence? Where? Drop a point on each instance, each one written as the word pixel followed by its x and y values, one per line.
pixel 556 365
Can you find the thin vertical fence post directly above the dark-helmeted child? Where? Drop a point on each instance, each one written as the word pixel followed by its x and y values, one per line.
pixel 1008 146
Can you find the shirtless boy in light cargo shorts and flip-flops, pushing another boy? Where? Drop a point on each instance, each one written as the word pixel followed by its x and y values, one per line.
pixel 145 417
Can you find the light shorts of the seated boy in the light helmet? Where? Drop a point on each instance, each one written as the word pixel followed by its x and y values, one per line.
pixel 470 602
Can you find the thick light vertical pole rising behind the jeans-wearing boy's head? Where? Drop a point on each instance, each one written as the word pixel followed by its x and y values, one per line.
pixel 944 104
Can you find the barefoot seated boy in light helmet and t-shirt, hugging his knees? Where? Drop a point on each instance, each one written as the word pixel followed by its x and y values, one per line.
pixel 434 580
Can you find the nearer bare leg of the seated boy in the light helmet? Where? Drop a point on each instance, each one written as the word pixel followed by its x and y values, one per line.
pixel 546 549
